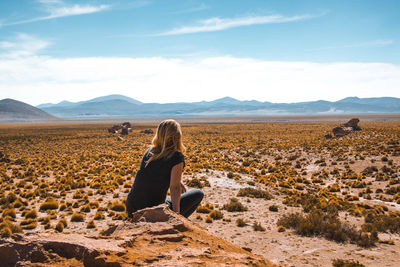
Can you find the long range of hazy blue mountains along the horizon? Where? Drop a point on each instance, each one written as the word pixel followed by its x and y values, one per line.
pixel 118 106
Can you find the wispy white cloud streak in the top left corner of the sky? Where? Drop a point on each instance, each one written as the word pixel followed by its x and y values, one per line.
pixel 58 9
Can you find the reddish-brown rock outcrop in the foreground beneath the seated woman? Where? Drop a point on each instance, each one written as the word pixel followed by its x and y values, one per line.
pixel 154 236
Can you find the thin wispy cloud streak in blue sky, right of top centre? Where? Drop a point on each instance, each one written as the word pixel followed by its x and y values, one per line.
pixel 219 24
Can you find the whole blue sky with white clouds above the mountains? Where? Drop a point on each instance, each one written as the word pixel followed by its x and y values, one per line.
pixel 185 51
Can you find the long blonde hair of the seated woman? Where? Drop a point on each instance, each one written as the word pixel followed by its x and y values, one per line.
pixel 167 141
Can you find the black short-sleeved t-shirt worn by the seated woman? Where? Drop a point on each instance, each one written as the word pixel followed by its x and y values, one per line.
pixel 152 181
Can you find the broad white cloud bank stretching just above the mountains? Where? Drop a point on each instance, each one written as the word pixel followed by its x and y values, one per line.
pixel 39 79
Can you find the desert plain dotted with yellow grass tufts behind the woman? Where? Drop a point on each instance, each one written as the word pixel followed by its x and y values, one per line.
pixel 277 189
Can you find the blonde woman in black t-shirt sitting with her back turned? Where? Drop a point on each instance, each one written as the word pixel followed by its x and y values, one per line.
pixel 160 169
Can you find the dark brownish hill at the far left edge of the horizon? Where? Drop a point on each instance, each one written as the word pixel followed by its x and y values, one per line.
pixel 16 111
